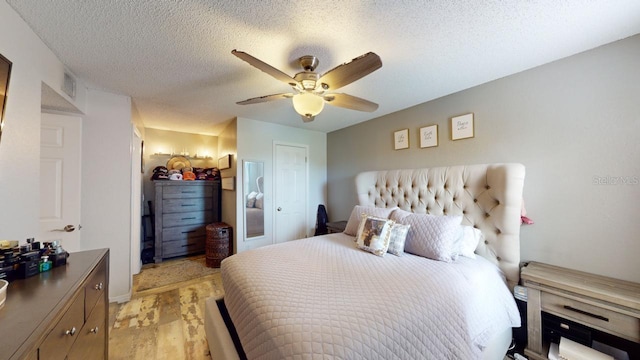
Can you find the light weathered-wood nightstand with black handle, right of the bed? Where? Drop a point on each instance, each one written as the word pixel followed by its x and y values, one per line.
pixel 598 307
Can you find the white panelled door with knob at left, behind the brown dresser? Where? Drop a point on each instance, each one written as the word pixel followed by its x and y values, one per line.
pixel 60 145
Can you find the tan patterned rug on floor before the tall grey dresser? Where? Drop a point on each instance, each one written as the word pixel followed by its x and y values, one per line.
pixel 173 274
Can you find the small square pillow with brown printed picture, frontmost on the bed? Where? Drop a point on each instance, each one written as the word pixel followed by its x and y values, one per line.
pixel 374 234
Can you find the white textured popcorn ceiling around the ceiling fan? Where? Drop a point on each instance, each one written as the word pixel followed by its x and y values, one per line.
pixel 174 57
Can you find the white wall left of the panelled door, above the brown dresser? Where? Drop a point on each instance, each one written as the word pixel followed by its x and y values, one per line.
pixel 33 64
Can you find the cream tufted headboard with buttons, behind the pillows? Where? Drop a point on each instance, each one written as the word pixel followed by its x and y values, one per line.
pixel 488 196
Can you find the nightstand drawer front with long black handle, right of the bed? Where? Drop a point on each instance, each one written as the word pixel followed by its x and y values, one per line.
pixel 622 325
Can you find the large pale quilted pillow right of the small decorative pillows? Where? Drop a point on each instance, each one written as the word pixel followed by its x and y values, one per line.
pixel 432 236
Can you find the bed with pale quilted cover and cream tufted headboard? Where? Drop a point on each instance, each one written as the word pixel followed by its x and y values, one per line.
pixel 322 297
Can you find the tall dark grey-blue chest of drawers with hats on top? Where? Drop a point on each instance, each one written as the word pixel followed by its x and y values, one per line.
pixel 182 210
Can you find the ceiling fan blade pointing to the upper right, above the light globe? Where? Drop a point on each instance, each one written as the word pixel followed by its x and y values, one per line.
pixel 349 72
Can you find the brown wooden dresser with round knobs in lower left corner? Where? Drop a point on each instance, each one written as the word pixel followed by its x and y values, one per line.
pixel 59 314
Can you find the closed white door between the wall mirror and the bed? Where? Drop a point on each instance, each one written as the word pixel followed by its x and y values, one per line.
pixel 290 192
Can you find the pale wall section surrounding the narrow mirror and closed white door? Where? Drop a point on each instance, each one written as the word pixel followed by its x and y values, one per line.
pixel 255 142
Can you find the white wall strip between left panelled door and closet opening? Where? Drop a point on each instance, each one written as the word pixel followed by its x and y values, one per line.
pixel 106 185
